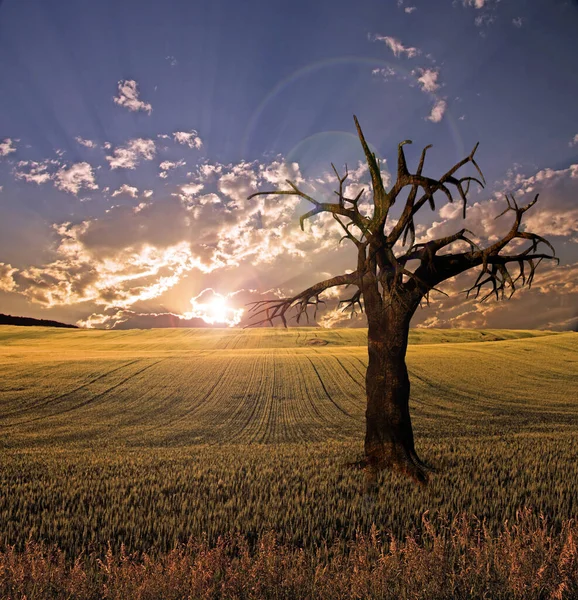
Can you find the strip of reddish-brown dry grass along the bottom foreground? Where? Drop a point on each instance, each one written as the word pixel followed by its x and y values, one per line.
pixel 460 559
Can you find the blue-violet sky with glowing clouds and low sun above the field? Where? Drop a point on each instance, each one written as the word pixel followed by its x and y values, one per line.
pixel 132 132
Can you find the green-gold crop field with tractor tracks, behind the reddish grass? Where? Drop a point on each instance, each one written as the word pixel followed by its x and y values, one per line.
pixel 149 439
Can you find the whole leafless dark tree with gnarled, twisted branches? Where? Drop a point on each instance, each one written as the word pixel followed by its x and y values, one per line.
pixel 389 289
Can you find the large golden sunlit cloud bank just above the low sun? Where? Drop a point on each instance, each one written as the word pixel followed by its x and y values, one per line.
pixel 133 254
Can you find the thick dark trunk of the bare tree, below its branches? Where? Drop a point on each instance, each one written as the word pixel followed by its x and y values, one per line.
pixel 389 440
